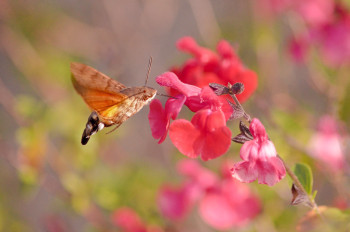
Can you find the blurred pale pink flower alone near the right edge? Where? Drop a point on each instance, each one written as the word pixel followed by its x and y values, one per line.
pixel 326 144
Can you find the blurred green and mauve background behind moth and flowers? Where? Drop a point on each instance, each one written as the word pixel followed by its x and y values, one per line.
pixel 50 182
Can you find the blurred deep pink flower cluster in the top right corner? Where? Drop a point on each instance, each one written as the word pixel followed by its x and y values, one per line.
pixel 327 28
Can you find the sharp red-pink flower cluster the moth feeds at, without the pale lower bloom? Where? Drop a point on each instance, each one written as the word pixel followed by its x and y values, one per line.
pixel 206 135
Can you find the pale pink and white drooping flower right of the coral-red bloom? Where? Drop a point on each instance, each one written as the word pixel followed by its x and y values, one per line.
pixel 260 159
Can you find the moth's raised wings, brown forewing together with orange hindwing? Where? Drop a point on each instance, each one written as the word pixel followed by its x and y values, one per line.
pixel 99 92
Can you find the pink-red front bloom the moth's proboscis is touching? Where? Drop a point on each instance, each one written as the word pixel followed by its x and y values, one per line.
pixel 206 135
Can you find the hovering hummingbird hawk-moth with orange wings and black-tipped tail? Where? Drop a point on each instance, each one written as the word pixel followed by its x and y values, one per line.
pixel 111 102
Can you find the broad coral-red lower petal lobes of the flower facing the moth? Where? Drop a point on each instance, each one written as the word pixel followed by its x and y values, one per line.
pixel 206 135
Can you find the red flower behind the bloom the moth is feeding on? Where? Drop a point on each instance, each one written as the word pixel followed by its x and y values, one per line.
pixel 208 67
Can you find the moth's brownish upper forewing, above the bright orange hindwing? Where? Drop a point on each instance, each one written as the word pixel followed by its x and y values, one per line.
pixel 86 77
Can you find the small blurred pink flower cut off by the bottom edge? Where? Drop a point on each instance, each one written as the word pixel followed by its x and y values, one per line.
pixel 126 219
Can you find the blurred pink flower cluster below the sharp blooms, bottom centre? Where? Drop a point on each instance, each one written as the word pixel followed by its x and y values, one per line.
pixel 223 202
